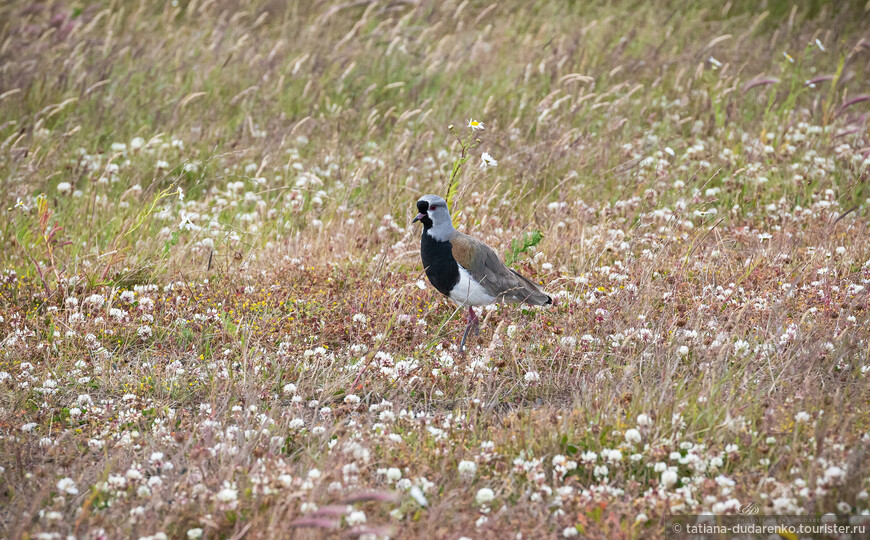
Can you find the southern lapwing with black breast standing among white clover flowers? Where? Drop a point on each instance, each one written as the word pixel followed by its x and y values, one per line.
pixel 465 269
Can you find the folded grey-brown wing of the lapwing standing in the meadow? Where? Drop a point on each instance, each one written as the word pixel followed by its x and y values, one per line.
pixel 497 279
